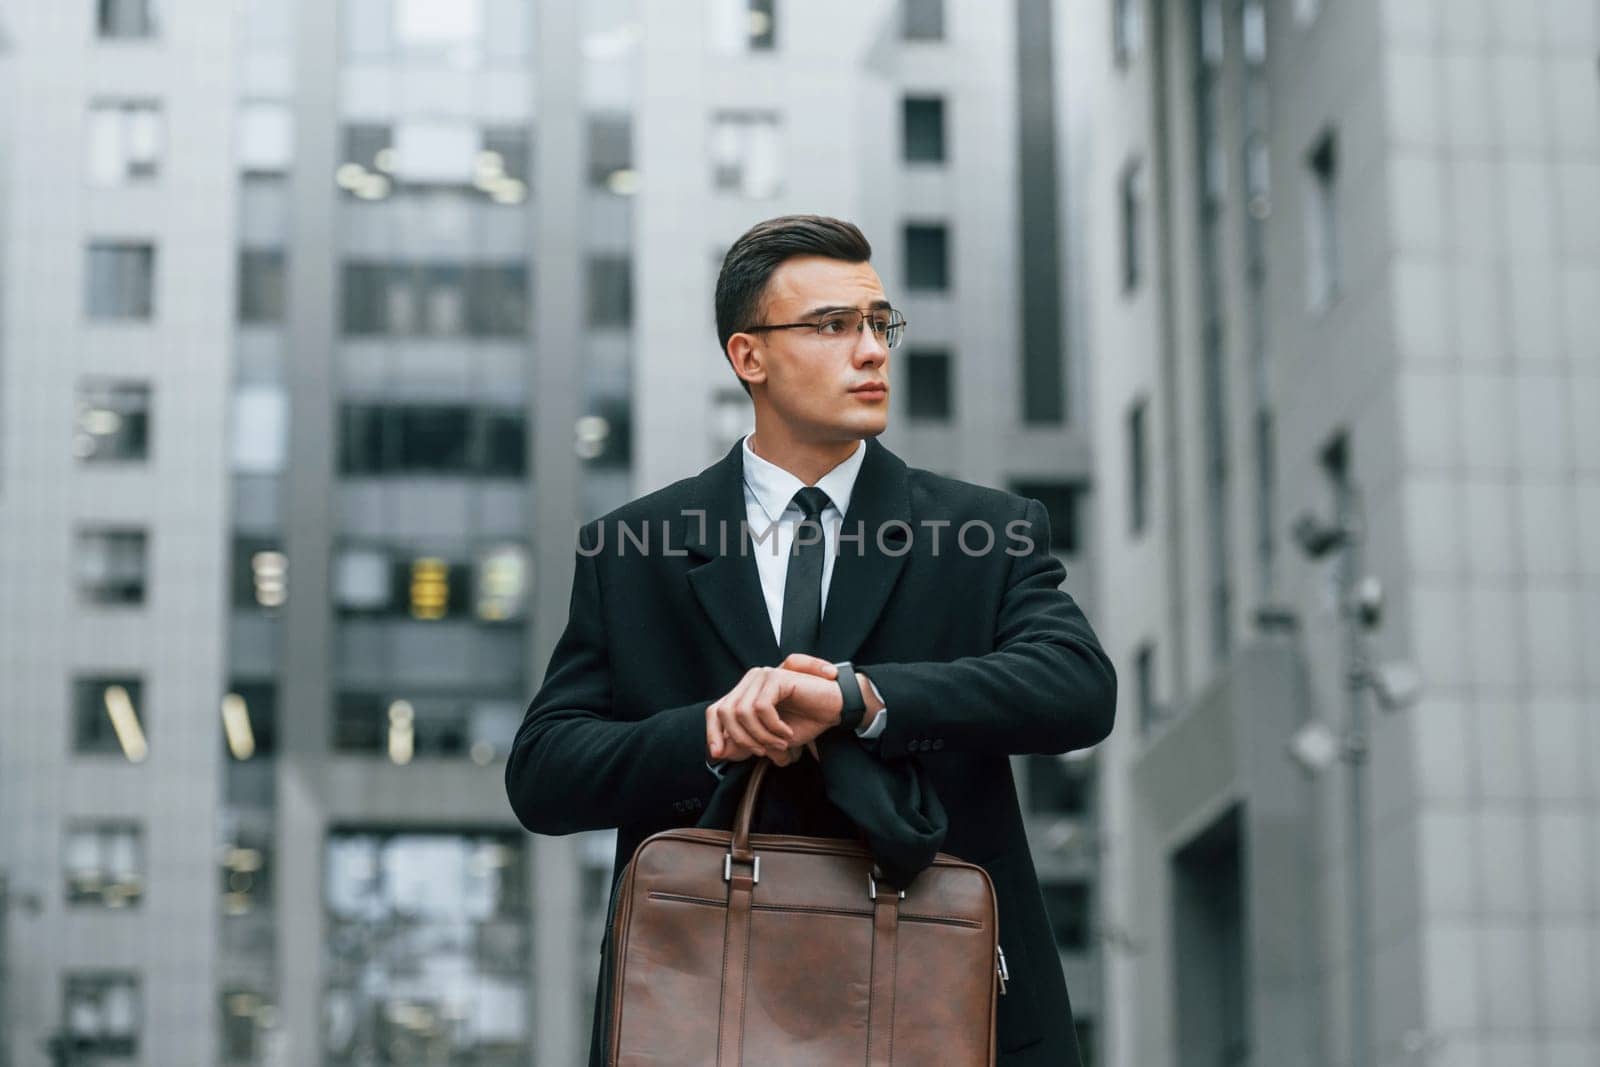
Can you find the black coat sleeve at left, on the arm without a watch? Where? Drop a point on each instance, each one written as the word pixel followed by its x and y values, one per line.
pixel 574 765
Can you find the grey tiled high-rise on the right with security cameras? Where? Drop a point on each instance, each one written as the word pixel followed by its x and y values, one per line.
pixel 1340 266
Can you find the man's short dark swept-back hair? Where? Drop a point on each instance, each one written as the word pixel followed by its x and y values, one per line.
pixel 762 249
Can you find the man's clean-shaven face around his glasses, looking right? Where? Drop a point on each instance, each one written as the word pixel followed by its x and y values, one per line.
pixel 822 388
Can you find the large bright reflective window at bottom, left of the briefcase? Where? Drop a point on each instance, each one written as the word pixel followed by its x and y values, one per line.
pixel 428 948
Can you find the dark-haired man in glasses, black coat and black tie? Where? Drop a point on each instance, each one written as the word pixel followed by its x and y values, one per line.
pixel 716 642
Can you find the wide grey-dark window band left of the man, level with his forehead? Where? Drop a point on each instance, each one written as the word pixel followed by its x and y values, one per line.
pixel 434 300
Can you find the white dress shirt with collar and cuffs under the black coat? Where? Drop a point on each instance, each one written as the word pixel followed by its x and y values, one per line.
pixel 769 500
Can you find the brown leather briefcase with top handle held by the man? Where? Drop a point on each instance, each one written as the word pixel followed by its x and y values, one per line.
pixel 737 948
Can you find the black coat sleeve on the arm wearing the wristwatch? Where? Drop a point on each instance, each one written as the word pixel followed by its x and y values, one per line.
pixel 1047 689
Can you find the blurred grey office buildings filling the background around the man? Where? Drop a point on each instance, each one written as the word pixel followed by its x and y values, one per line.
pixel 324 324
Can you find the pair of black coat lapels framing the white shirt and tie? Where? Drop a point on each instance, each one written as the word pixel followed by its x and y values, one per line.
pixel 729 585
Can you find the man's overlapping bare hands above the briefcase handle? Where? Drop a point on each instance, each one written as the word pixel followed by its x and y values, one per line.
pixel 775 711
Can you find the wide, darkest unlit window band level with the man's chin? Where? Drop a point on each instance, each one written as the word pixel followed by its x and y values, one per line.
pixel 433 439
